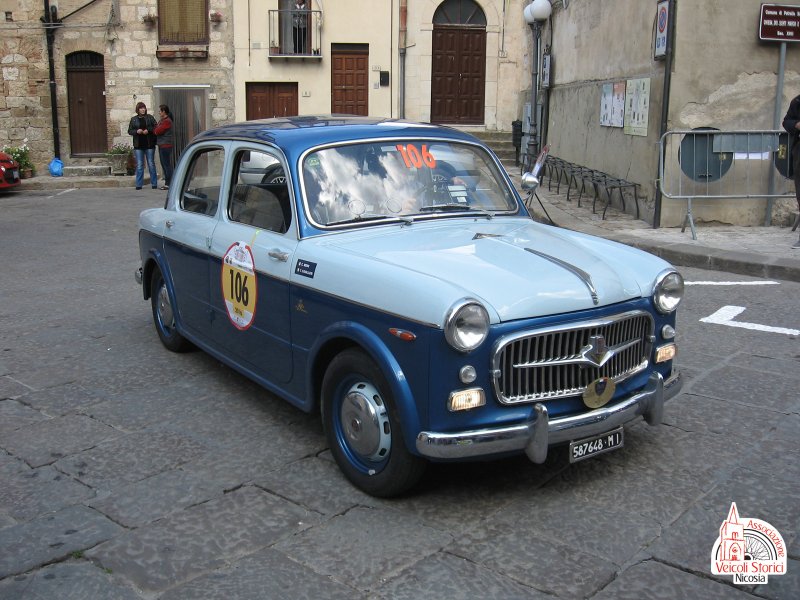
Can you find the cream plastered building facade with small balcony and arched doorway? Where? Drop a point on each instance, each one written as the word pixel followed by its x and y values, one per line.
pixel 408 58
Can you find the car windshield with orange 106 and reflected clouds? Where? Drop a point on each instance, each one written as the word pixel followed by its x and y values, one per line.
pixel 402 179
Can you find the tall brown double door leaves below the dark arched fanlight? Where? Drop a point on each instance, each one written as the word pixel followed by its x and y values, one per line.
pixel 458 78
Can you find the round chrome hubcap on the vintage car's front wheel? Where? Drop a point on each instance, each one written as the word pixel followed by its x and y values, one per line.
pixel 365 422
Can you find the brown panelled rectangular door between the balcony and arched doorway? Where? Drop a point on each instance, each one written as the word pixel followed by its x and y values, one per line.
pixel 350 82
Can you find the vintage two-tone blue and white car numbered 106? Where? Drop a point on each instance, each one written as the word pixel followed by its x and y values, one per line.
pixel 388 275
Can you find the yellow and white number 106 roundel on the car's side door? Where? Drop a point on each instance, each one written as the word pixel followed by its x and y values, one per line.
pixel 239 285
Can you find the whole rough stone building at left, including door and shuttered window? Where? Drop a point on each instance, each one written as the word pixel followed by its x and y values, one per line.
pixel 107 56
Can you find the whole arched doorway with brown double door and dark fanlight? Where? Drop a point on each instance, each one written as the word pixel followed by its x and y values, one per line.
pixel 458 70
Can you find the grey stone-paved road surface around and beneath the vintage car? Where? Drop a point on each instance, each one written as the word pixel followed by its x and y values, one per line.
pixel 129 472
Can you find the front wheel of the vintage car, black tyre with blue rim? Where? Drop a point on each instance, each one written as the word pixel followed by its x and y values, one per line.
pixel 363 428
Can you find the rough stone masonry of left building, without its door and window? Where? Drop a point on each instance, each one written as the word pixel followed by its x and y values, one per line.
pixel 113 28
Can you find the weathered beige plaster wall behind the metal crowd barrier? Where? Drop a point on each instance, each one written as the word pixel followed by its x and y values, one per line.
pixel 722 76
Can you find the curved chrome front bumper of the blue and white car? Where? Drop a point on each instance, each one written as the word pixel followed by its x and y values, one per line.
pixel 536 435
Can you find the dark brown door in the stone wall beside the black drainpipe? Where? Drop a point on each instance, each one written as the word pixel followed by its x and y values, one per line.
pixel 86 101
